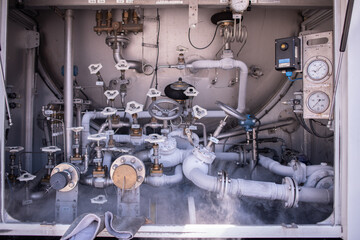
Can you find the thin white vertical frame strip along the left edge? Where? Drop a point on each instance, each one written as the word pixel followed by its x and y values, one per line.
pixel 3 35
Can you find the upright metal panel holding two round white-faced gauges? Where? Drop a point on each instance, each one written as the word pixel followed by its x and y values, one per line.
pixel 318 75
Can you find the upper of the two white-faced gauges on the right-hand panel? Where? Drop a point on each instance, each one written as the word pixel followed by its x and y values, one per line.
pixel 318 69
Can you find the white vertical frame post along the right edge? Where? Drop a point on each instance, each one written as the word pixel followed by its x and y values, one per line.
pixel 349 116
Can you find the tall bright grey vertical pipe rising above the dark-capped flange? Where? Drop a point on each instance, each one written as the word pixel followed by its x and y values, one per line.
pixel 68 82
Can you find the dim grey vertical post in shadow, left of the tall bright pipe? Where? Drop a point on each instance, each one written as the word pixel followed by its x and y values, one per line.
pixel 29 106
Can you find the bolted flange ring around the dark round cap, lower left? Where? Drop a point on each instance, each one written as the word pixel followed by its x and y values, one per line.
pixel 71 171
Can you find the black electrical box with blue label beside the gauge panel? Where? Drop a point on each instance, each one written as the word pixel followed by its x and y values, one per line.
pixel 287 54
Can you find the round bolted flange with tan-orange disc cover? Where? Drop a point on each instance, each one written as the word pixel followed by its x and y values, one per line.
pixel 127 172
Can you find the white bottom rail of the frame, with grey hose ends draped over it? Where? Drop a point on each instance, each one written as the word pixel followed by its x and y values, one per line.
pixel 190 231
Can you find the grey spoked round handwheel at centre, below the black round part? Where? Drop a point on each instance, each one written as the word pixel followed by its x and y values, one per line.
pixel 165 109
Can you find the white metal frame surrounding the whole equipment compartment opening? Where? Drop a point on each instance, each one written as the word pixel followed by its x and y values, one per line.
pixel 346 170
